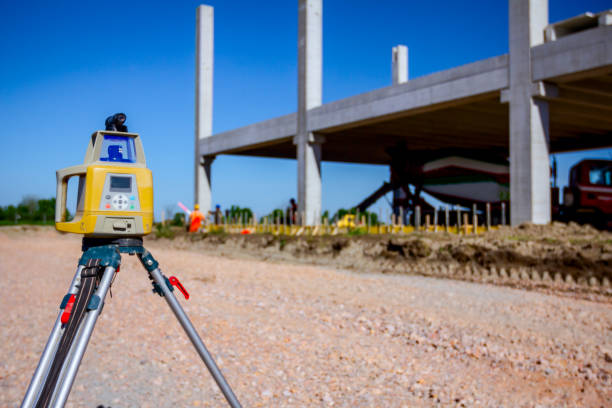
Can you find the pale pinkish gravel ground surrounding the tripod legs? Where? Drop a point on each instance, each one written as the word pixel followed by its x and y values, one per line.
pixel 294 335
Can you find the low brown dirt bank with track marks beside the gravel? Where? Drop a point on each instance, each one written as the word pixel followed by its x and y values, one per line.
pixel 558 256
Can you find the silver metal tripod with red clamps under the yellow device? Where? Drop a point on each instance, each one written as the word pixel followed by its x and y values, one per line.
pixel 79 310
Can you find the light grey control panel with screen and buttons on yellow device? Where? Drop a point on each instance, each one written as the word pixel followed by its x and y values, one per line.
pixel 120 193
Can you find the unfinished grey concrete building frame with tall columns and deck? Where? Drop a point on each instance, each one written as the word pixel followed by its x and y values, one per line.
pixel 551 93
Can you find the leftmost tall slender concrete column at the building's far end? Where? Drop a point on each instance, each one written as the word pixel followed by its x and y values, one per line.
pixel 203 103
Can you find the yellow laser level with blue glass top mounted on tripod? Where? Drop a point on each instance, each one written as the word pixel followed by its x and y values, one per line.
pixel 115 189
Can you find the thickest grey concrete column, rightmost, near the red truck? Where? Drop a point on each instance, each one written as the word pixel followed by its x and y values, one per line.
pixel 529 129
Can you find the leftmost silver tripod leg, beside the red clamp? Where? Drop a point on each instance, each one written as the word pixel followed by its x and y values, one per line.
pixel 48 354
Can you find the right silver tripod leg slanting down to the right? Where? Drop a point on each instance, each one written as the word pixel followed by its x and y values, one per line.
pixel 152 266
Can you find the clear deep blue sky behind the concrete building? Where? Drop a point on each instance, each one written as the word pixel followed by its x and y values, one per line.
pixel 67 65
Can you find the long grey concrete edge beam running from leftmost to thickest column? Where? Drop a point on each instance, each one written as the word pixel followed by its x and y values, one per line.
pixel 443 87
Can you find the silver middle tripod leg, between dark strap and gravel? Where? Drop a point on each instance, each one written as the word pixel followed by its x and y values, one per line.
pixel 77 350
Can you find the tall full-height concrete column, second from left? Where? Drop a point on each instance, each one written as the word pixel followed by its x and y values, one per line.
pixel 310 56
